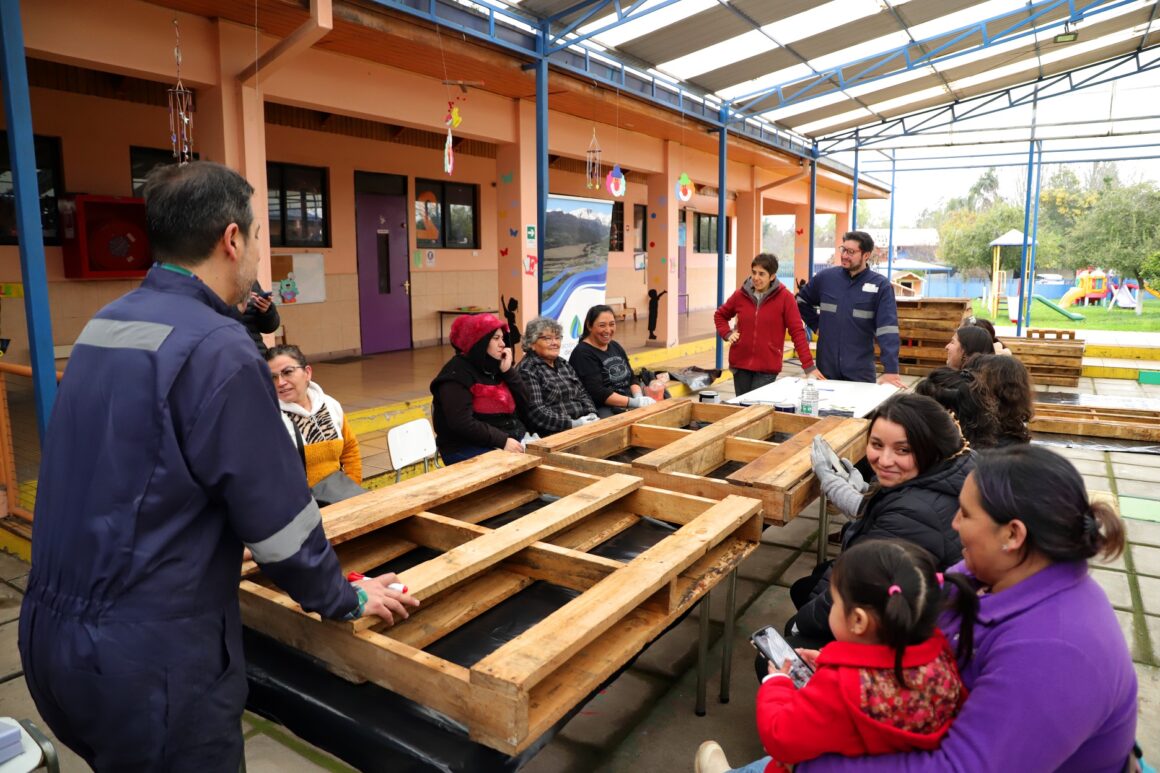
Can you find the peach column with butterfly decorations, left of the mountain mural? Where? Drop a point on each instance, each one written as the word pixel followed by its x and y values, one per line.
pixel 516 185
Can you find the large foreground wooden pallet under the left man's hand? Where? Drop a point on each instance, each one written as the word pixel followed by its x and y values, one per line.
pixel 518 692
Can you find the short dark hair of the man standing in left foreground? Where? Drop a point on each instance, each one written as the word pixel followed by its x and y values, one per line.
pixel 188 208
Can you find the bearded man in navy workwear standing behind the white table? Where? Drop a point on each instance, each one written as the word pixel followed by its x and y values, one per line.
pixel 857 307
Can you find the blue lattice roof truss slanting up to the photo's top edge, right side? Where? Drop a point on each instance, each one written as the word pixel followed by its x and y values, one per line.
pixel 875 68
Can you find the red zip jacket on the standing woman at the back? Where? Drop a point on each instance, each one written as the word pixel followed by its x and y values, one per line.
pixel 763 329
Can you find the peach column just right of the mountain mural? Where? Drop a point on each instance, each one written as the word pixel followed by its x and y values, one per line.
pixel 664 219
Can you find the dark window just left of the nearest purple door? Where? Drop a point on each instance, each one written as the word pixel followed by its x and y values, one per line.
pixel 298 198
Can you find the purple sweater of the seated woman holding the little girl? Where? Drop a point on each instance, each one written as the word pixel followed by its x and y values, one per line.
pixel 1053 685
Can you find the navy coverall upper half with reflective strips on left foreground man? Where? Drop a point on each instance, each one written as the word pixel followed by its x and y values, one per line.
pixel 165 454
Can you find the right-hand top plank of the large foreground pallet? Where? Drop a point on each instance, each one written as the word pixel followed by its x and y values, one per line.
pixel 528 659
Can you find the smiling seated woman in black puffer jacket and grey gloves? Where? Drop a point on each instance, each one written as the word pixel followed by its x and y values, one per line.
pixel 920 461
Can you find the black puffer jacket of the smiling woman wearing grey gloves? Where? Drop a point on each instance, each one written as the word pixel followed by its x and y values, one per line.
pixel 919 511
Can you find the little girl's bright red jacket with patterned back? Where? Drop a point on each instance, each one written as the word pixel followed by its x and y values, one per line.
pixel 854 706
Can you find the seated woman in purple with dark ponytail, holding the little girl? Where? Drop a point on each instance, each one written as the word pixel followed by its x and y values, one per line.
pixel 1028 532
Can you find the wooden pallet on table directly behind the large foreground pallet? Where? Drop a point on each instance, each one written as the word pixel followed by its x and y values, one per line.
pixel 680 459
